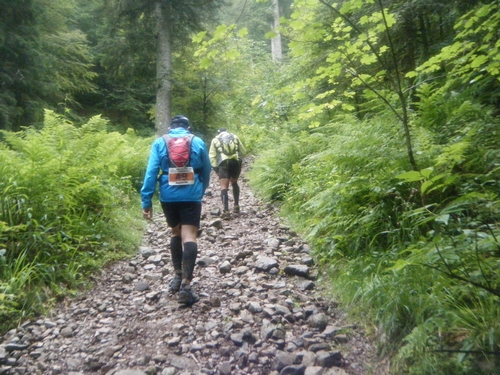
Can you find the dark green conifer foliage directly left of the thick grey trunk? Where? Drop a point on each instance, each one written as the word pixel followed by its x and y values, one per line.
pixel 123 54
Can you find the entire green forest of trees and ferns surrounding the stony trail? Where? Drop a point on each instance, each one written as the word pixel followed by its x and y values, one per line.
pixel 374 126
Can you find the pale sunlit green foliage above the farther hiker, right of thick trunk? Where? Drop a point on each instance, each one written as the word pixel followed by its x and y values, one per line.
pixel 230 72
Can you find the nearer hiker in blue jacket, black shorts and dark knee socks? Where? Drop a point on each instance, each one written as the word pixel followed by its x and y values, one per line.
pixel 180 201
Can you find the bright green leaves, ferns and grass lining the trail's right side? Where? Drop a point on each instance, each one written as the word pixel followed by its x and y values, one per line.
pixel 413 252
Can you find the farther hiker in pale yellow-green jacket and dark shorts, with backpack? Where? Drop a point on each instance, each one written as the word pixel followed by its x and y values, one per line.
pixel 226 156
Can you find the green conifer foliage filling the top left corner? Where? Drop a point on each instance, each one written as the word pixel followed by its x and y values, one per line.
pixel 45 61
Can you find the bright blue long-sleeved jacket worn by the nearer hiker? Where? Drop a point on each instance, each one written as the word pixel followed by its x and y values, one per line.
pixel 158 162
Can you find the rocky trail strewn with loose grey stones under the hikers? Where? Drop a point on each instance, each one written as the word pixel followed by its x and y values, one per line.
pixel 261 310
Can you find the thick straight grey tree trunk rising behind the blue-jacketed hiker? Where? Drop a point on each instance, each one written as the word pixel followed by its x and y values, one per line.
pixel 163 69
